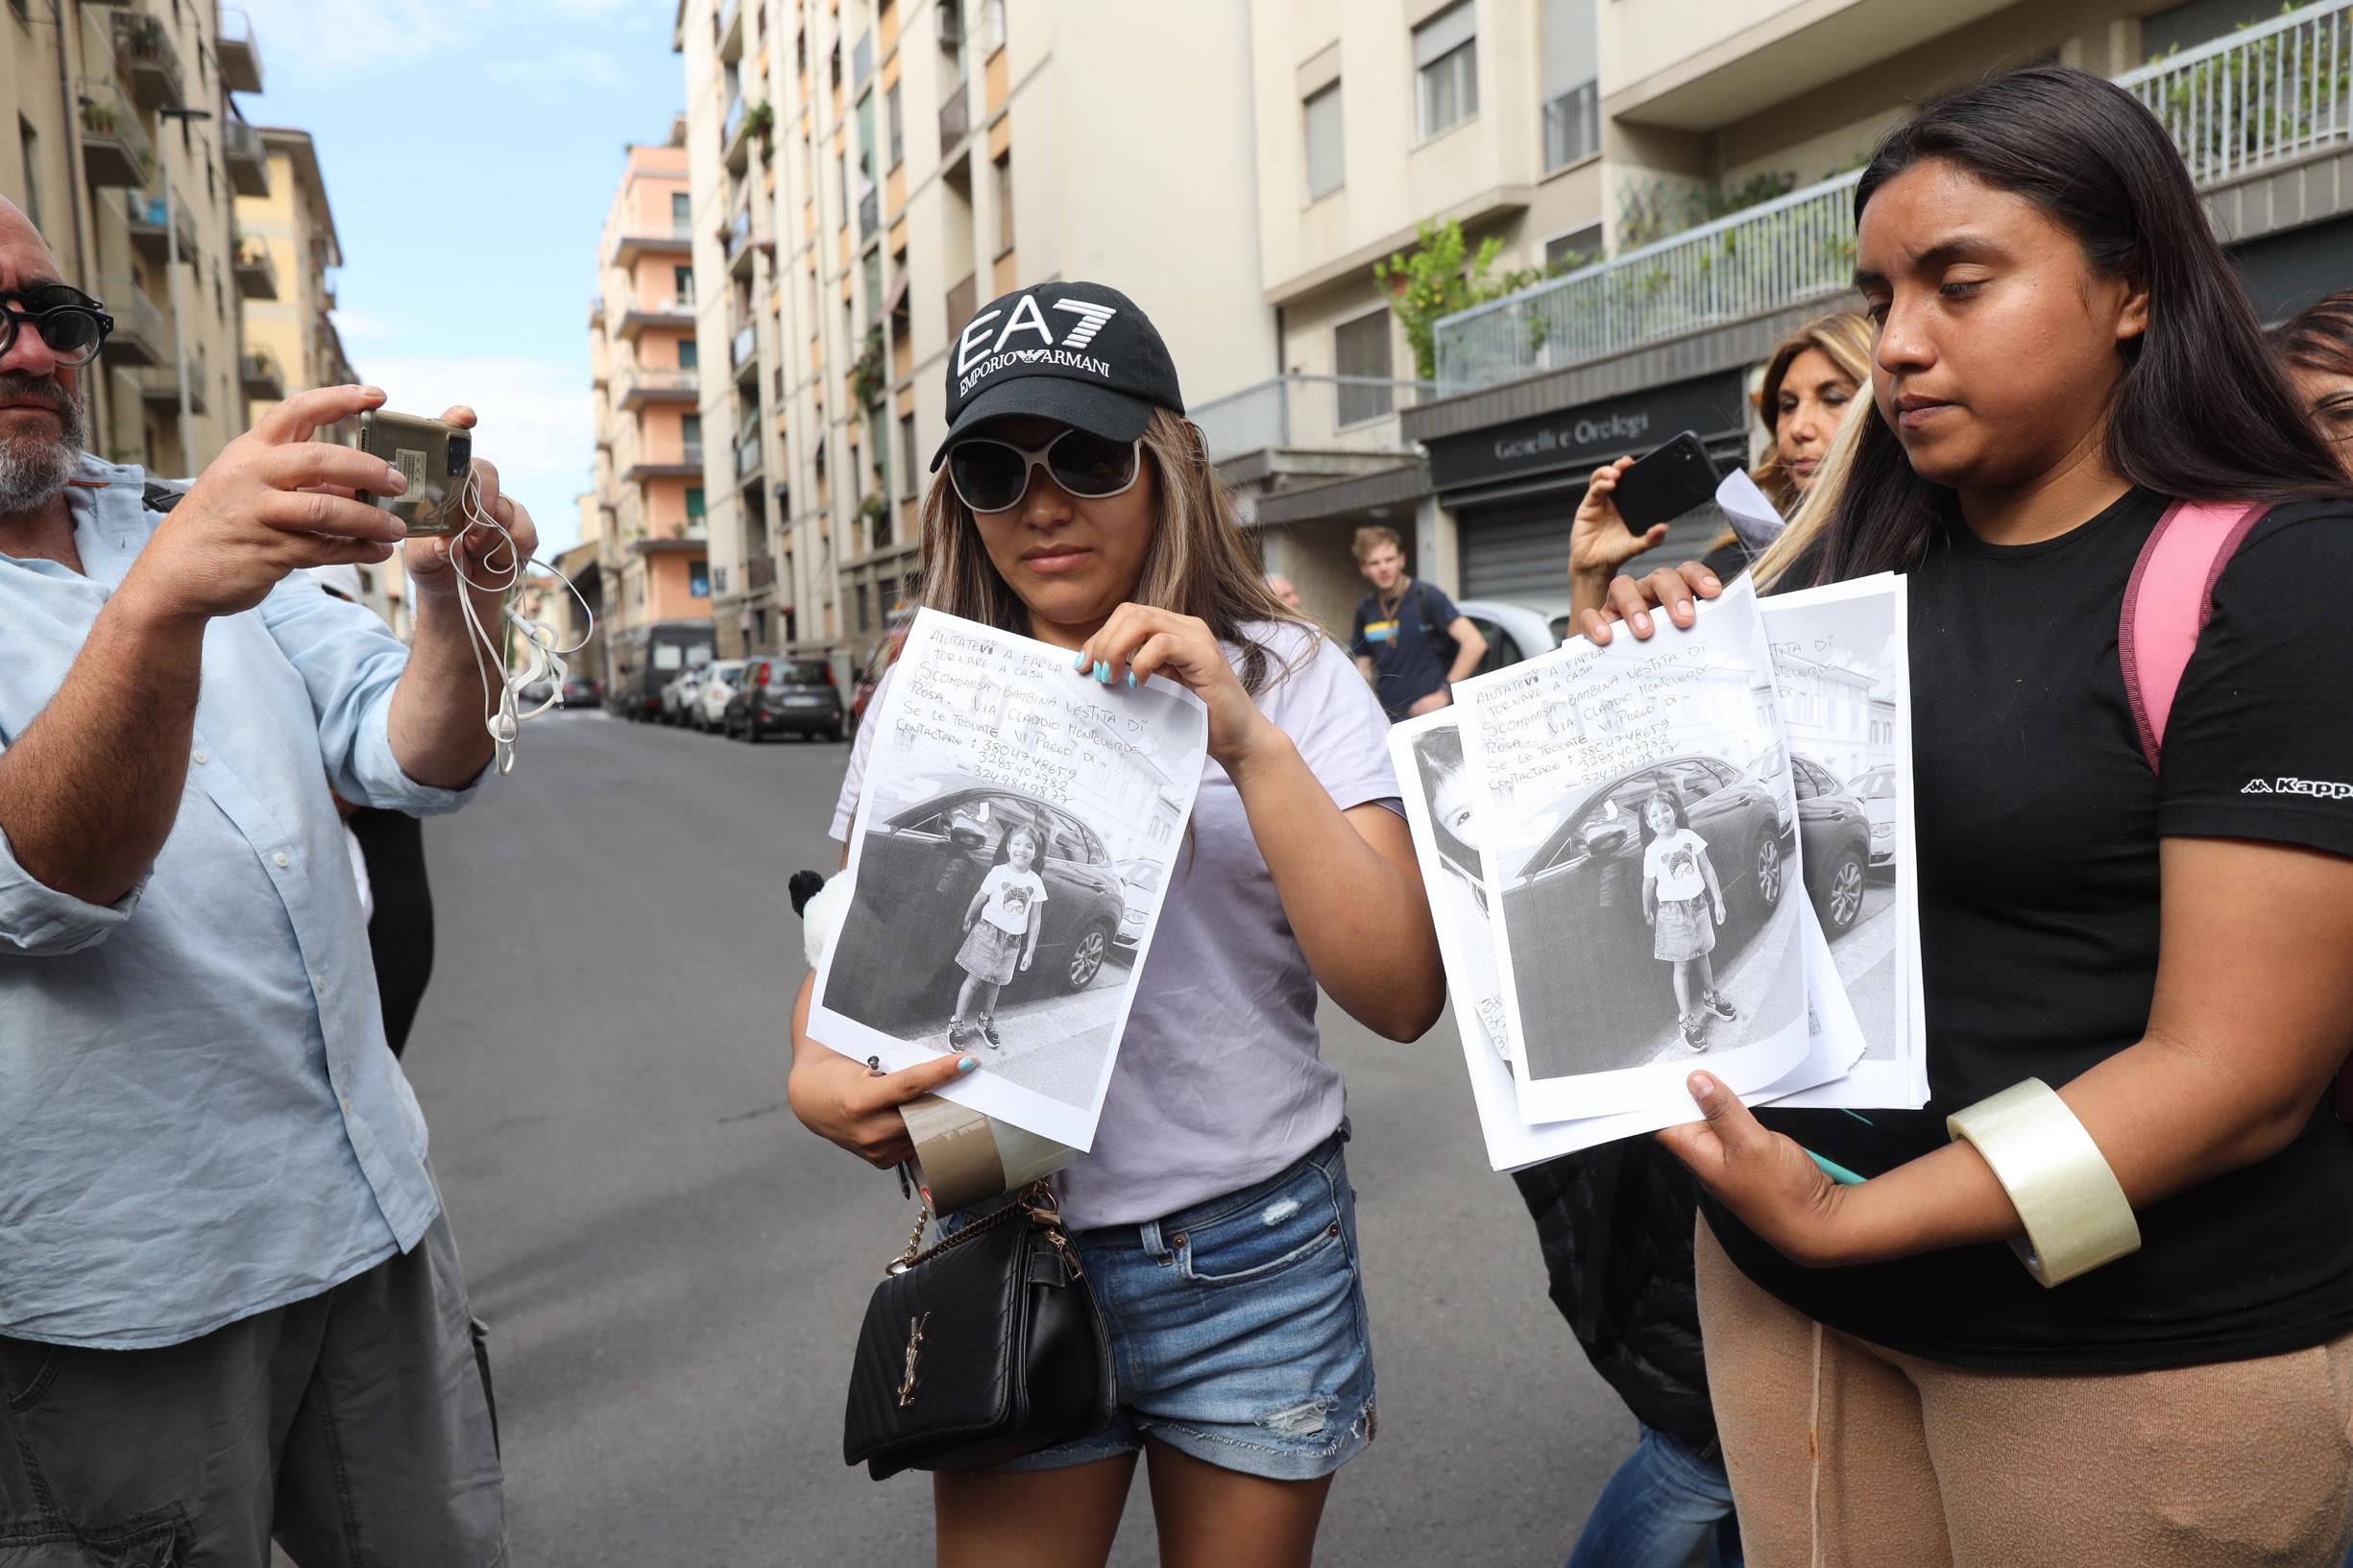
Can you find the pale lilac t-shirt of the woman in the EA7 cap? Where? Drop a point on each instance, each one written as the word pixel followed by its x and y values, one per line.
pixel 1220 1080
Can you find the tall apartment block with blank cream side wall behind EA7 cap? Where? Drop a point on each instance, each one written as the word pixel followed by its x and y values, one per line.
pixel 914 159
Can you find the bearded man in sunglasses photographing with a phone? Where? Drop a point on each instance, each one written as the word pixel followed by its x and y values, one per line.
pixel 229 1301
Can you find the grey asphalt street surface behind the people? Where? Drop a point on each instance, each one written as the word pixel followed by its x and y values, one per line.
pixel 674 1271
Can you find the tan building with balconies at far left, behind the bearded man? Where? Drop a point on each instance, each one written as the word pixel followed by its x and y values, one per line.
pixel 128 149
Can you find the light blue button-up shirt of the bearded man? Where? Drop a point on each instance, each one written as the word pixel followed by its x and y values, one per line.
pixel 199 1113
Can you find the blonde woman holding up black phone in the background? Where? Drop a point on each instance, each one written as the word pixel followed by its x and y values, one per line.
pixel 1808 387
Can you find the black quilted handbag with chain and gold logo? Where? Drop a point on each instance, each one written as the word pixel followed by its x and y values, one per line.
pixel 980 1351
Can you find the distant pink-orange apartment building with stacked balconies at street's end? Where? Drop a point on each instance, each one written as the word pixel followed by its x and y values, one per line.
pixel 648 504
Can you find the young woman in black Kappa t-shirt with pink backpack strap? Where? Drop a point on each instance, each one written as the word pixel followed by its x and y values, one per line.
pixel 2062 354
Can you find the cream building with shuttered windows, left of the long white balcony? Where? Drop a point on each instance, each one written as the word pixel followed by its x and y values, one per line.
pixel 1373 119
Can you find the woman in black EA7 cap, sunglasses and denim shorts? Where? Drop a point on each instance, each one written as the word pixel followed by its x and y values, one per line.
pixel 1213 1214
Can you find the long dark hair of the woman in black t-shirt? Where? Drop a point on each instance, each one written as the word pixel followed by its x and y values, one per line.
pixel 2201 413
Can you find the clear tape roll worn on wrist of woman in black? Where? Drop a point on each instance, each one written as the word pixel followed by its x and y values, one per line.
pixel 2069 1200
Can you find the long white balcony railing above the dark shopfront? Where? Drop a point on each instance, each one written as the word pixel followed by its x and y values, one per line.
pixel 2248 102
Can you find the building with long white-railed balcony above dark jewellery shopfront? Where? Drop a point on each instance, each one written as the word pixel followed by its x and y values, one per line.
pixel 1731 140
